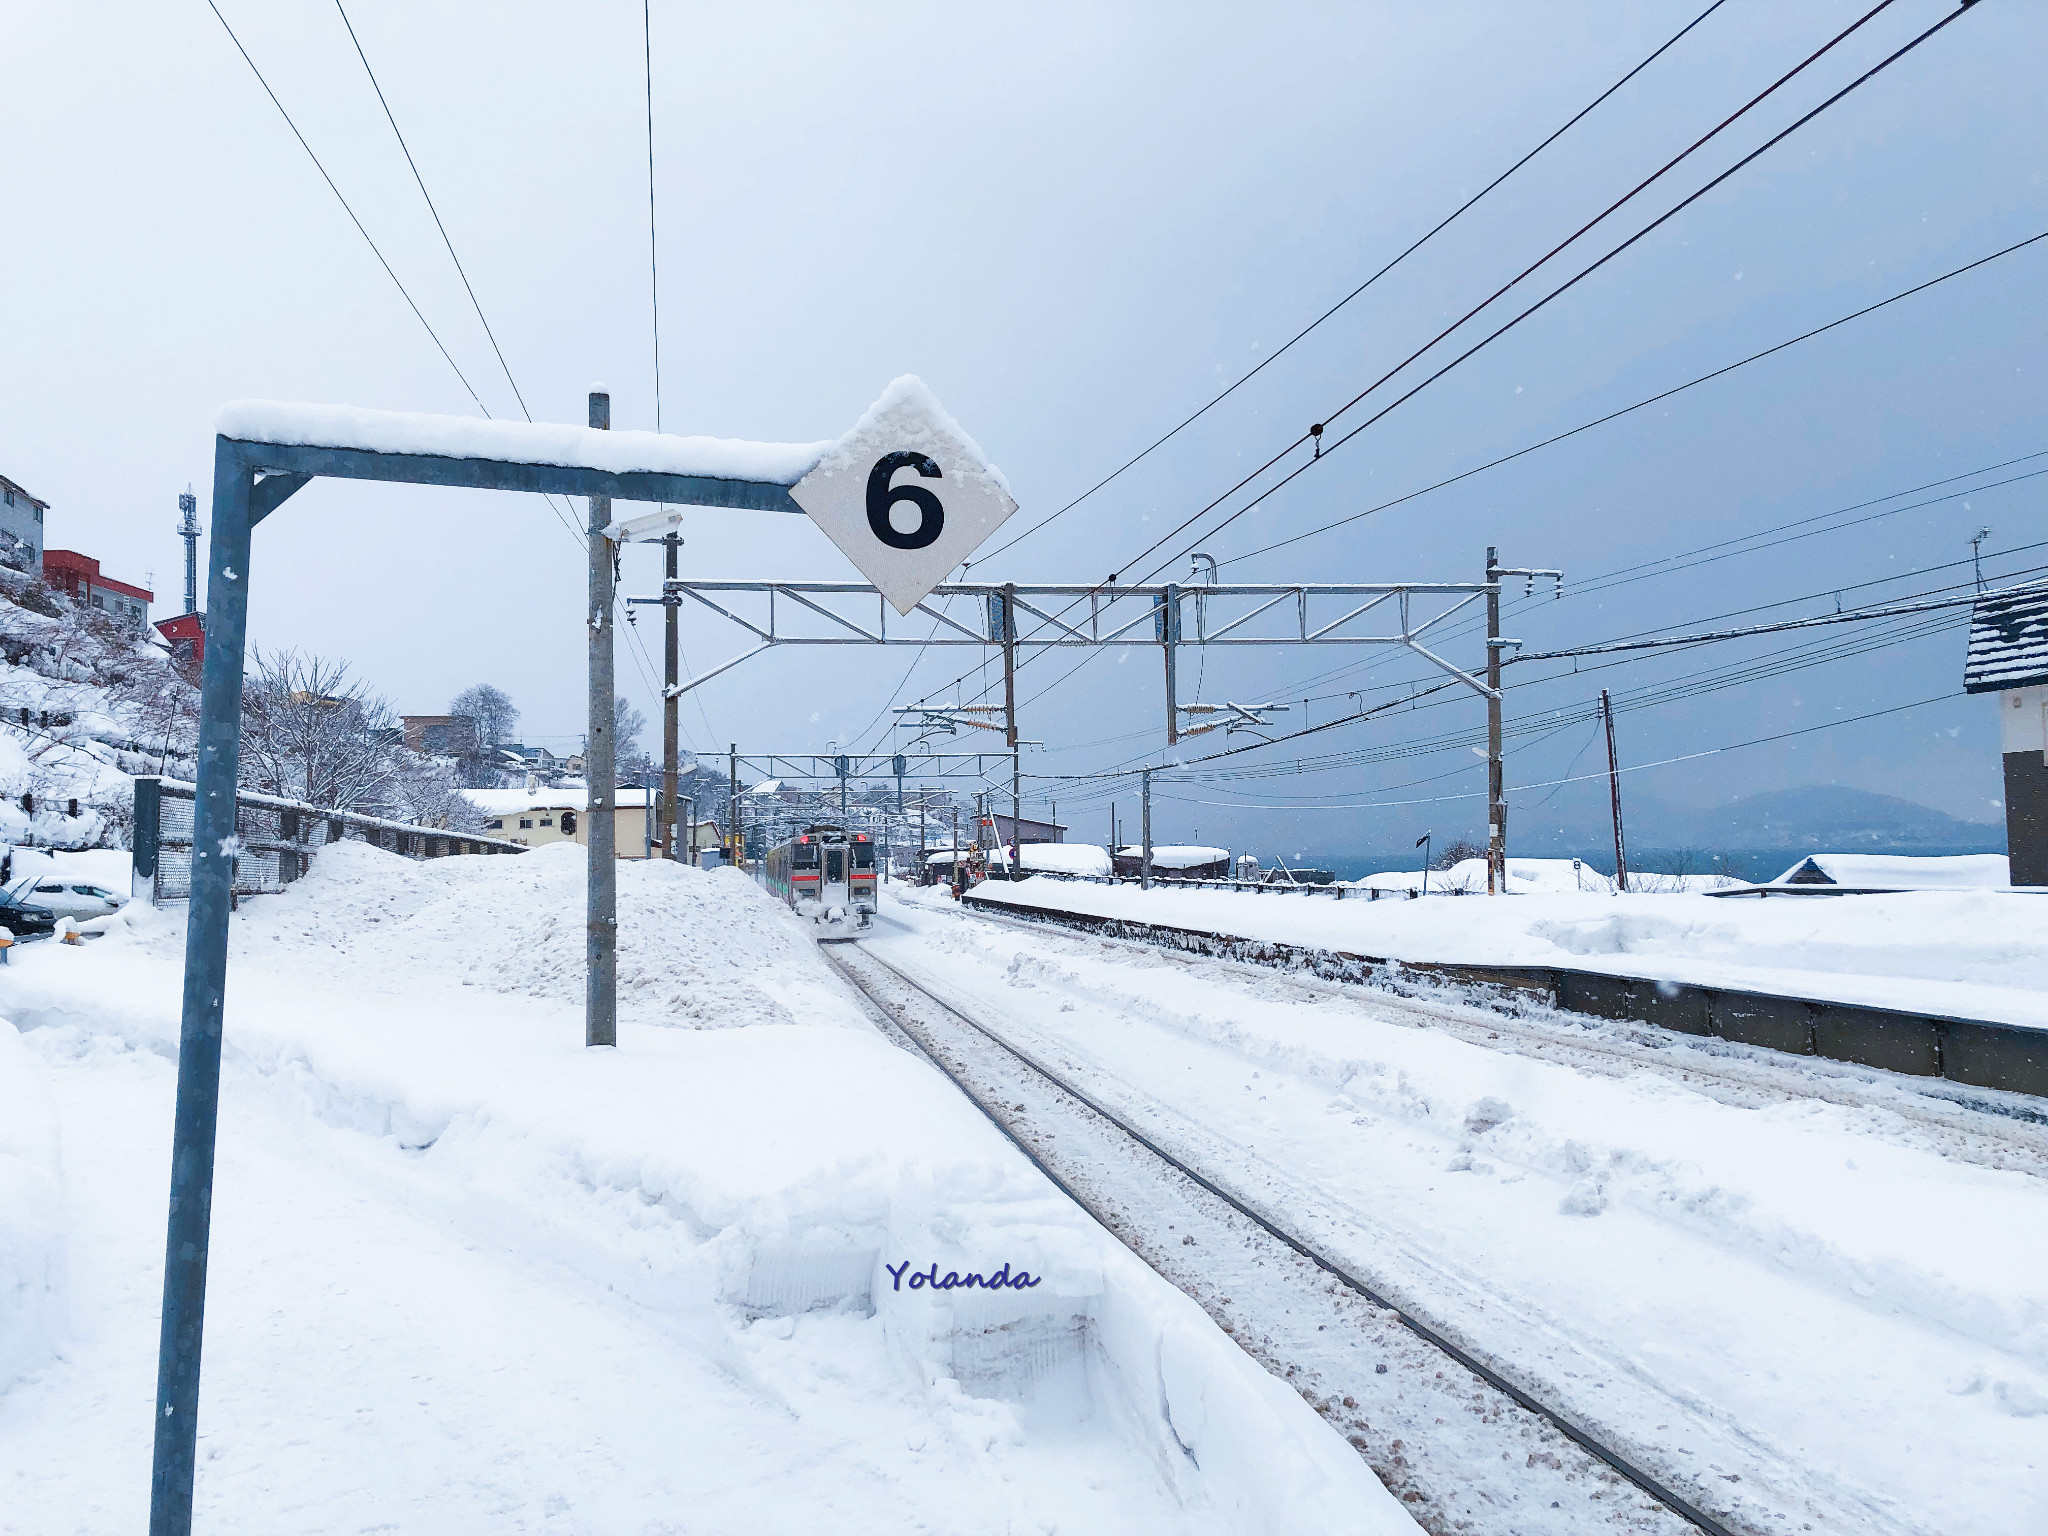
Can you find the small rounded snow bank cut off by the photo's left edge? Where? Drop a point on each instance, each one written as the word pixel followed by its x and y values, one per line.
pixel 32 1242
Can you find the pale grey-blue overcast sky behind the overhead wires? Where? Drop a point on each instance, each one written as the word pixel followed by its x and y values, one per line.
pixel 1076 224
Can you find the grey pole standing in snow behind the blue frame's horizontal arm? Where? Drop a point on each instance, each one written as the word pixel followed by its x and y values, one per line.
pixel 601 771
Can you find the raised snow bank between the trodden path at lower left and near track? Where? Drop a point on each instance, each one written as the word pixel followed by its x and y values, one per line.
pixel 753 1156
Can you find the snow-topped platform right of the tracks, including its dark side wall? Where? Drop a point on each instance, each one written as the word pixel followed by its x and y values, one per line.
pixel 1938 984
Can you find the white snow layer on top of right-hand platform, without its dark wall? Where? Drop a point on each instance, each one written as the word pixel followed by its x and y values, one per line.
pixel 1969 953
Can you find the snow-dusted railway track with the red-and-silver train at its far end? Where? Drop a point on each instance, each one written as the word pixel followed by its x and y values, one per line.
pixel 1455 1437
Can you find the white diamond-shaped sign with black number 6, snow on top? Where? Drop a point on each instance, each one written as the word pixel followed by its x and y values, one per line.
pixel 906 495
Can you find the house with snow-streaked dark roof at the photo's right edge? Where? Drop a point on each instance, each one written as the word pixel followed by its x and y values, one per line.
pixel 2010 660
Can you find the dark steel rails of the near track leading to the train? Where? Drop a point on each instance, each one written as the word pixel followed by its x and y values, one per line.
pixel 1672 1500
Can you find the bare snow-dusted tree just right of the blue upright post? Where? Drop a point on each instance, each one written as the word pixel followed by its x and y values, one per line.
pixel 314 734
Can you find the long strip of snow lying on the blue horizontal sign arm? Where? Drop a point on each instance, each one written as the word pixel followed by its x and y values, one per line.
pixel 538 443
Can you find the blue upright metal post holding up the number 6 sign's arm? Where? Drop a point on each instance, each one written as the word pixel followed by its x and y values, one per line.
pixel 206 978
